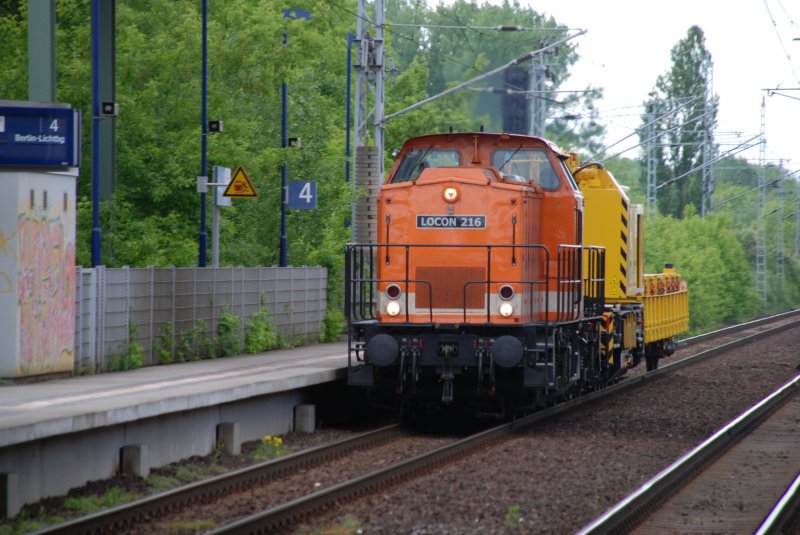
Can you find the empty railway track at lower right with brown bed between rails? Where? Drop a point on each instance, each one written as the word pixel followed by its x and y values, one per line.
pixel 733 482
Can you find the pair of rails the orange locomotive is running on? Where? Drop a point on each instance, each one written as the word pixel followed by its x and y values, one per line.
pixel 276 519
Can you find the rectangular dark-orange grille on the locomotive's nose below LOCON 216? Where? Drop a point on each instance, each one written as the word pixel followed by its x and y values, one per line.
pixel 447 286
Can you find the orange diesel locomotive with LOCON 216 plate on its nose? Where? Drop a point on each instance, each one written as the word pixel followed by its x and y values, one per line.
pixel 481 289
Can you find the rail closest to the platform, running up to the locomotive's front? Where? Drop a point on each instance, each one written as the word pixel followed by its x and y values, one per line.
pixel 116 519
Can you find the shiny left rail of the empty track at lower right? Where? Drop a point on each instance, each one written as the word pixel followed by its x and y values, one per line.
pixel 626 514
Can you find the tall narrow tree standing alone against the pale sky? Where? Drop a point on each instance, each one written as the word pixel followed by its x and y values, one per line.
pixel 685 116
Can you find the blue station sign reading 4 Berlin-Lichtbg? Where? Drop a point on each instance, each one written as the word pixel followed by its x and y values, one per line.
pixel 40 136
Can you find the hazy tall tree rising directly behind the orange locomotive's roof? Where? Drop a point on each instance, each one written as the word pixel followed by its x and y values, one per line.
pixel 459 42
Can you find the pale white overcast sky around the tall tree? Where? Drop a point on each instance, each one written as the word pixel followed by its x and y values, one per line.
pixel 627 46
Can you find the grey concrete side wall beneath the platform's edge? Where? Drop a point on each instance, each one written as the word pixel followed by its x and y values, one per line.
pixel 34 470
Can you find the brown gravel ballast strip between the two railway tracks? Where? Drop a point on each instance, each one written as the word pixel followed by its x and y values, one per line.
pixel 562 474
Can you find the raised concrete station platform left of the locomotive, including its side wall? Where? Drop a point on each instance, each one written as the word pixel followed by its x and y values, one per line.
pixel 58 434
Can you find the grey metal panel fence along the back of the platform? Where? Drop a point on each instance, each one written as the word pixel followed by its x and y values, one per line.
pixel 164 306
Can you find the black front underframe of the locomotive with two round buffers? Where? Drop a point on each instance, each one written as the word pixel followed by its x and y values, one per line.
pixel 518 367
